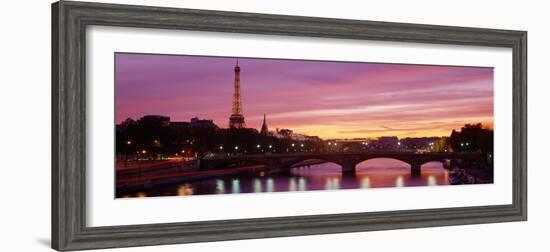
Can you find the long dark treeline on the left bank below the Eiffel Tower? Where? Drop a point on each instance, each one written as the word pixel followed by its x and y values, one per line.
pixel 150 137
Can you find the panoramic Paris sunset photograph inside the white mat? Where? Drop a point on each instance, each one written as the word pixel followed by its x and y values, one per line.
pixel 201 125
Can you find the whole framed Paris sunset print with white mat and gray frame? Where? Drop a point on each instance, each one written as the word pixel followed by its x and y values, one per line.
pixel 178 125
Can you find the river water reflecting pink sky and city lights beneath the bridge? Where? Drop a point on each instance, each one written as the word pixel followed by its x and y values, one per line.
pixel 374 173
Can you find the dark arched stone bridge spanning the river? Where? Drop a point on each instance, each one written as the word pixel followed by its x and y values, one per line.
pixel 347 160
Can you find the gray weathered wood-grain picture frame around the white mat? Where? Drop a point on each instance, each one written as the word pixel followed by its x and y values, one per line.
pixel 69 20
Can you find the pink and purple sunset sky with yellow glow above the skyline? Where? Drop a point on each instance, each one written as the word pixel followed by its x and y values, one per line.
pixel 326 99
